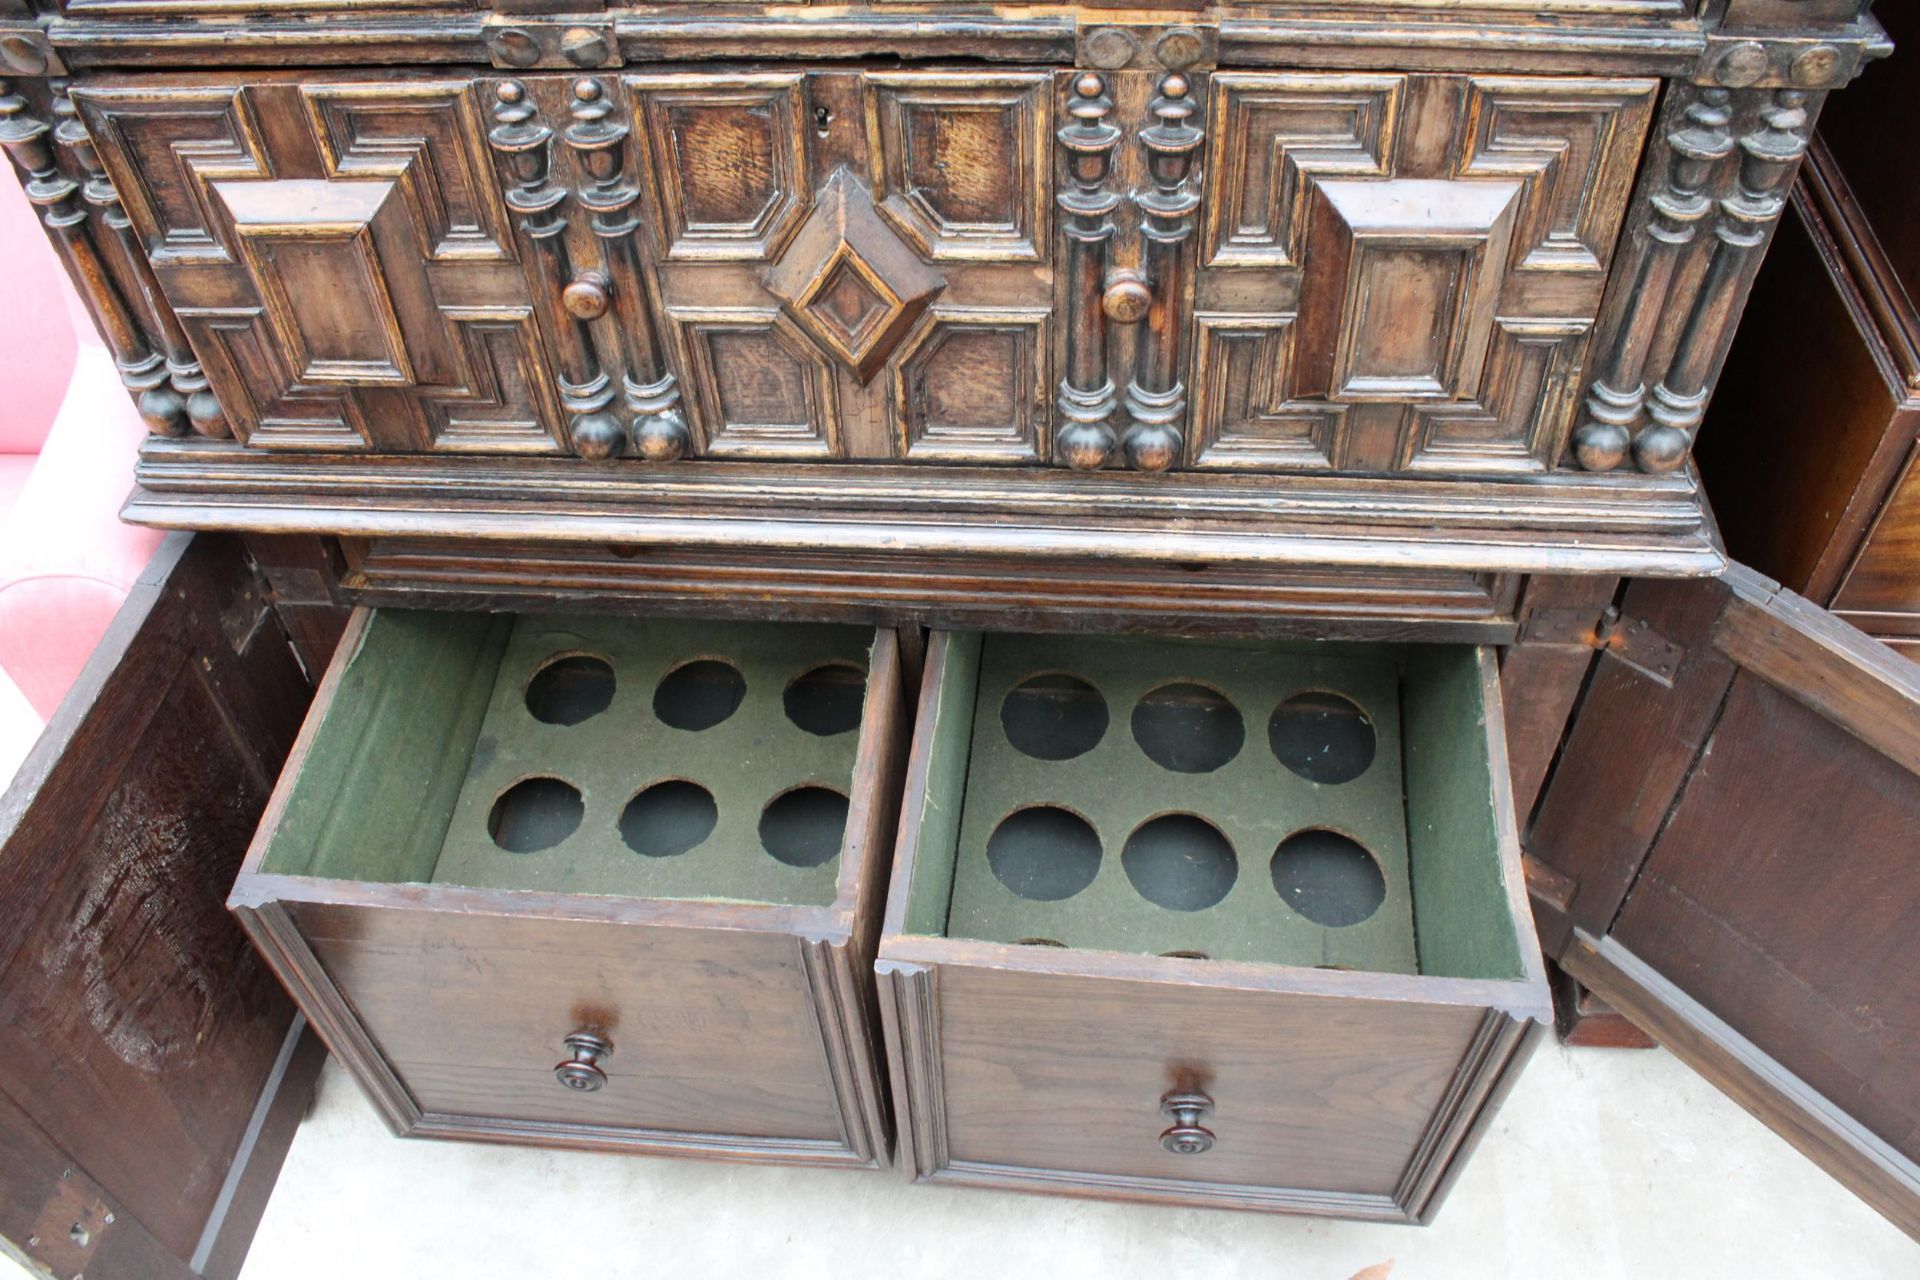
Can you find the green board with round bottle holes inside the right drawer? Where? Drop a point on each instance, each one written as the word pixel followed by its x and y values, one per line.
pixel 1253 799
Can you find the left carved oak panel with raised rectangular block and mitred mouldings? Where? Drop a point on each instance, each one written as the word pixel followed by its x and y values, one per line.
pixel 339 258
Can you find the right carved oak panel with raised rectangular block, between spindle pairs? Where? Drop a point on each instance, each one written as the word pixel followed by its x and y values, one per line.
pixel 1403 272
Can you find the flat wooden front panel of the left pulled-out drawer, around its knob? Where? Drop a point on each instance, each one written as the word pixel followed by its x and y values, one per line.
pixel 713 1033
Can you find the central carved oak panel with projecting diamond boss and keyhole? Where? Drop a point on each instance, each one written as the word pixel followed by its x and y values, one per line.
pixel 853 264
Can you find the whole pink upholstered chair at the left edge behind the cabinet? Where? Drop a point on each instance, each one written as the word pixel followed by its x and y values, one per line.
pixel 68 442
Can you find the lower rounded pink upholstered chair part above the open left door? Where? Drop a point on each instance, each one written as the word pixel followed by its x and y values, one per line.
pixel 66 559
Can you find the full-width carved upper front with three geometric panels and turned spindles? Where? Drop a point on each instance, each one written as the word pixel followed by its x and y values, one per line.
pixel 1257 272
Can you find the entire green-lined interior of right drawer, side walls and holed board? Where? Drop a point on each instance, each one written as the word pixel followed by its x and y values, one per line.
pixel 1426 807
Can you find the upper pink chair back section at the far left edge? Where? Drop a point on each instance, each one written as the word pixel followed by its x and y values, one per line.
pixel 37 337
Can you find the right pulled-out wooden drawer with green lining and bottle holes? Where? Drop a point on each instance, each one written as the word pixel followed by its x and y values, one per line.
pixel 1211 926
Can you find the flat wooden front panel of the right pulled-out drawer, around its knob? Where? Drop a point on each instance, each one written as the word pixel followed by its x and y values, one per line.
pixel 1068 1076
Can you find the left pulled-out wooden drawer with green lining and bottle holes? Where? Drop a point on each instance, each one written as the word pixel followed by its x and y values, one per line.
pixel 504 834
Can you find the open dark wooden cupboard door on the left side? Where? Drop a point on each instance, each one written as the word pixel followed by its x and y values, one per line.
pixel 153 1072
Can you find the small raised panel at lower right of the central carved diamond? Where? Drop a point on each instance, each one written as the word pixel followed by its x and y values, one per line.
pixel 972 387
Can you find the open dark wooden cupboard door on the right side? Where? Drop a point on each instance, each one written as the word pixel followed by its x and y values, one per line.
pixel 1729 855
